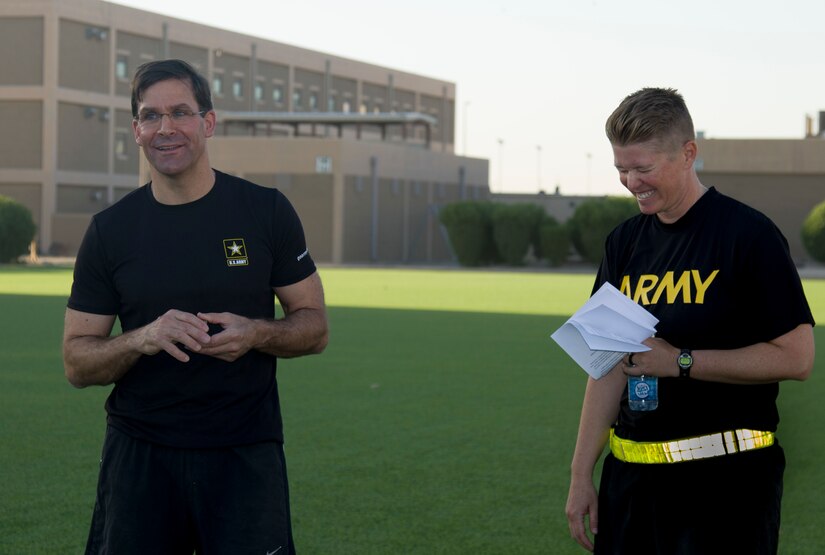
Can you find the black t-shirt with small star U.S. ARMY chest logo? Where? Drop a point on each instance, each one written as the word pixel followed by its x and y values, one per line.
pixel 221 253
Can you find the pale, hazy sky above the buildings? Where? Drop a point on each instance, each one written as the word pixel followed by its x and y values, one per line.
pixel 536 79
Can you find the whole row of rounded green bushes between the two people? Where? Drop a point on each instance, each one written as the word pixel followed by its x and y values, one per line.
pixel 483 233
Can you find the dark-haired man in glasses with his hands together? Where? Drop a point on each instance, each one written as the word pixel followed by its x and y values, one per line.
pixel 191 265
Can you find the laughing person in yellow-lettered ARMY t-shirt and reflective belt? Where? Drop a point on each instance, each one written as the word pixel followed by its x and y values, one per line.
pixel 702 473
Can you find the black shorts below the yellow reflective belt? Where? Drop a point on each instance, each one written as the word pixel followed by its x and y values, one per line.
pixel 722 505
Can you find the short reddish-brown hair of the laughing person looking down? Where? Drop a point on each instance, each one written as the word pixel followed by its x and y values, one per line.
pixel 651 114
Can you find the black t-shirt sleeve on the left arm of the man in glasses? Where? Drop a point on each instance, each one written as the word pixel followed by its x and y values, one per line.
pixel 93 290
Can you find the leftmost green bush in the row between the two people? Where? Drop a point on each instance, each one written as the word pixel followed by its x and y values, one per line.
pixel 470 228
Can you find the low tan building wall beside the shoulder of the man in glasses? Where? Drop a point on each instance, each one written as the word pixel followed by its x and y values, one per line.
pixel 368 201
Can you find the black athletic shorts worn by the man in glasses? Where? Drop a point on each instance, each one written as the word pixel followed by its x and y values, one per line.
pixel 162 500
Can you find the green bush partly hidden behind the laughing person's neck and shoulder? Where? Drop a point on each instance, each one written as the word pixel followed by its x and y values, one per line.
pixel 594 219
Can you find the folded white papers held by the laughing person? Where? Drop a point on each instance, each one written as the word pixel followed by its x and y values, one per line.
pixel 606 328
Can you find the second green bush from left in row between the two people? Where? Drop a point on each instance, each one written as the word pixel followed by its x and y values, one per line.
pixel 515 228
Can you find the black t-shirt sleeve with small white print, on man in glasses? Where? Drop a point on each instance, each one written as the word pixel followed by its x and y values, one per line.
pixel 292 261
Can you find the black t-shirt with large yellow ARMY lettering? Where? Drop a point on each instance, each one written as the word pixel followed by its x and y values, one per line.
pixel 721 277
